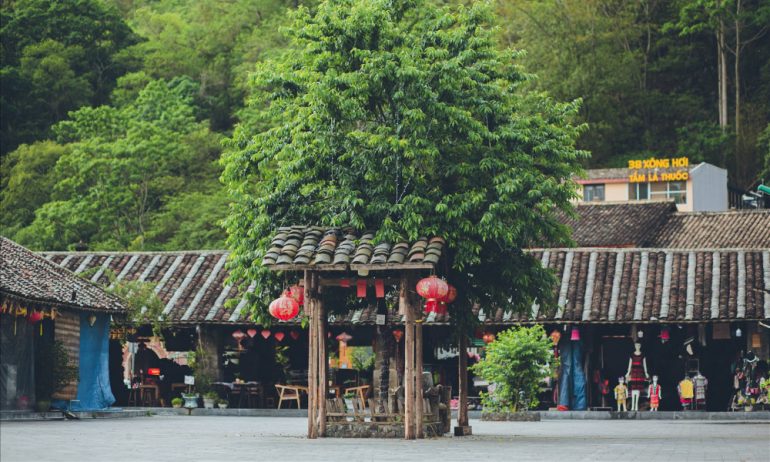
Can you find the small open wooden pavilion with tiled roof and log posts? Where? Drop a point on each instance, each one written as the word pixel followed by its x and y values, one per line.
pixel 329 258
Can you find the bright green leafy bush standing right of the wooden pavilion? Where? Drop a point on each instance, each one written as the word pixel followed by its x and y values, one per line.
pixel 516 363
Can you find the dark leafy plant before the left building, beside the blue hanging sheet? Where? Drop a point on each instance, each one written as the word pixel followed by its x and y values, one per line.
pixel 53 369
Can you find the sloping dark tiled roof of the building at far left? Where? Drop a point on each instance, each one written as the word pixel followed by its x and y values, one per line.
pixel 30 277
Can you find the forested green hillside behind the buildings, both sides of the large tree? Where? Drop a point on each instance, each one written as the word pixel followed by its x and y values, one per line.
pixel 115 113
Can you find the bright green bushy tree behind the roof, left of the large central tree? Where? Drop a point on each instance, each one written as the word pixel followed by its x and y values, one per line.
pixel 121 167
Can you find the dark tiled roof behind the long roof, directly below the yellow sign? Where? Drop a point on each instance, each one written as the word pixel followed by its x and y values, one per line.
pixel 617 224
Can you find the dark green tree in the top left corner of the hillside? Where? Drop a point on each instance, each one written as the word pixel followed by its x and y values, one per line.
pixel 56 56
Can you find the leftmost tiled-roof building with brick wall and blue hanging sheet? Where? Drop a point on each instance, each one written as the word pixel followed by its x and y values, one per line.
pixel 41 302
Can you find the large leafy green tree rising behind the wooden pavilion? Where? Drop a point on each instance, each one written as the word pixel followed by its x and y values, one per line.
pixel 407 119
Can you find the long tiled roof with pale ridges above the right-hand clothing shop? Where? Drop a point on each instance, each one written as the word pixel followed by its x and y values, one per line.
pixel 654 285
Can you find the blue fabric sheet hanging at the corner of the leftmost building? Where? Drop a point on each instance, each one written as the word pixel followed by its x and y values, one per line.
pixel 94 392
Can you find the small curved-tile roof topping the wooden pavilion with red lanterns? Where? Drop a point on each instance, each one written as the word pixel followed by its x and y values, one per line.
pixel 300 247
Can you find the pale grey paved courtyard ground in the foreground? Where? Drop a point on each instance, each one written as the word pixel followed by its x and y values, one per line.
pixel 181 438
